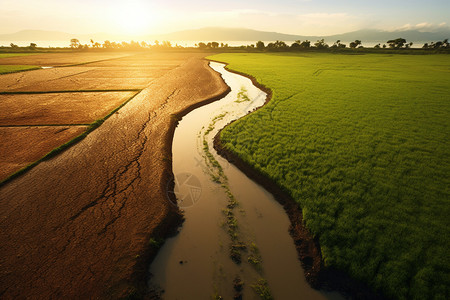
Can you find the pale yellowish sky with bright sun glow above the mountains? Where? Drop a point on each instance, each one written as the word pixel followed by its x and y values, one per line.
pixel 303 17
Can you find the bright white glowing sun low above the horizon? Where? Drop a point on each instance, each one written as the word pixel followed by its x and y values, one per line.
pixel 134 17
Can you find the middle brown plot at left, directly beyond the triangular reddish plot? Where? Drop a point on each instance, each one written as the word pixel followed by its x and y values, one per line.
pixel 59 108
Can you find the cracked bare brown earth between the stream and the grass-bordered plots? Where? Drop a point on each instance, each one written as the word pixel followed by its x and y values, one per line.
pixel 83 223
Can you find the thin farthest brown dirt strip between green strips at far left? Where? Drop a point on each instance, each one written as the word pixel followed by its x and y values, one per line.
pixel 60 59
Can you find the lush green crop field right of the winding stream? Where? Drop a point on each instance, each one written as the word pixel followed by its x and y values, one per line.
pixel 362 143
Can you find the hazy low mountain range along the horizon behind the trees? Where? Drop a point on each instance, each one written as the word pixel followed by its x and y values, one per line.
pixel 231 34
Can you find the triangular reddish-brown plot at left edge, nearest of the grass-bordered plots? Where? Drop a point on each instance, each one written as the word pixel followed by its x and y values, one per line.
pixel 21 146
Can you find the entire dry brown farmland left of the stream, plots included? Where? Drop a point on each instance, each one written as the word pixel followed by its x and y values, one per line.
pixel 78 224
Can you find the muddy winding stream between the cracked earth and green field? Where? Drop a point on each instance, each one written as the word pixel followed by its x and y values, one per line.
pixel 235 239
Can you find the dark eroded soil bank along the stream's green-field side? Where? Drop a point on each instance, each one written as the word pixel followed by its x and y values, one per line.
pixel 308 247
